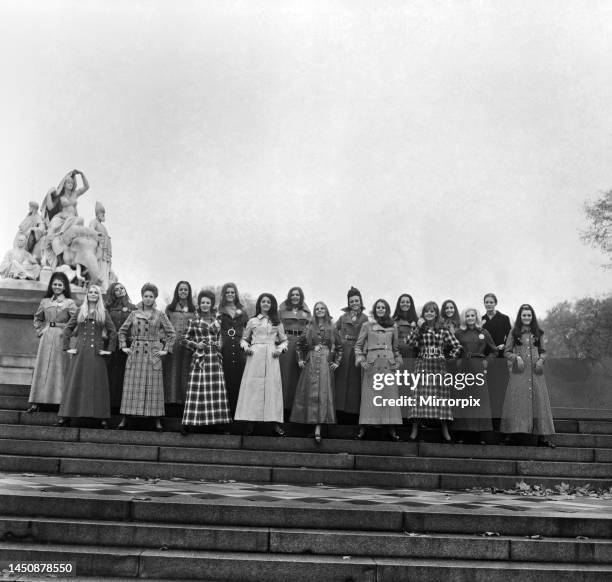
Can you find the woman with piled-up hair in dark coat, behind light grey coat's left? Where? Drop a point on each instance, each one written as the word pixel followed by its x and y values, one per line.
pixel 348 376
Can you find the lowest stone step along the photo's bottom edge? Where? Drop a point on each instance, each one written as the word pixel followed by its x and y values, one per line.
pixel 244 567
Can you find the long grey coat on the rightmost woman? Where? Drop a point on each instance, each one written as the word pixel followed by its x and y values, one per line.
pixel 527 405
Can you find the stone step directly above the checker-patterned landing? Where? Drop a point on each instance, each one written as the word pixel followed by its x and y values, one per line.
pixel 292 475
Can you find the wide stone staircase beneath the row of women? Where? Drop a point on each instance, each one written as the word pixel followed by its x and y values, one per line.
pixel 209 537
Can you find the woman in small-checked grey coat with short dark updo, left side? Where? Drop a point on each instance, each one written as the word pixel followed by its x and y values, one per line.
pixel 152 337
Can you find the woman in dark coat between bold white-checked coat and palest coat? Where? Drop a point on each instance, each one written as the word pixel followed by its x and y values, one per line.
pixel 233 319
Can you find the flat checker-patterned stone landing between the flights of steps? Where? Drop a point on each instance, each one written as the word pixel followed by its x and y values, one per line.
pixel 100 488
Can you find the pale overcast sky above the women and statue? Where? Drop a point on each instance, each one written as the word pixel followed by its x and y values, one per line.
pixel 443 149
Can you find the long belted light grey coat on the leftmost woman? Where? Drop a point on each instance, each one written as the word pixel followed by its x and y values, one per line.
pixel 51 360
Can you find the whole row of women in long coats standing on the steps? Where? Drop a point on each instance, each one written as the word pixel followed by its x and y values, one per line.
pixel 286 363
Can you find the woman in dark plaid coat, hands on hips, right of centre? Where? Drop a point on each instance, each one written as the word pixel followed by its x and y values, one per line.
pixel 433 340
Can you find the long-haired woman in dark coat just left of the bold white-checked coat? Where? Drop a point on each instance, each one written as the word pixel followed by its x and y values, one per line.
pixel 177 364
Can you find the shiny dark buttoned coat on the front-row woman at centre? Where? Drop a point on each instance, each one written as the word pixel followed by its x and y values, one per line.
pixel 314 401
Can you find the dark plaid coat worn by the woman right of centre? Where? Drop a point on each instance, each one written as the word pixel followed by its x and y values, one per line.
pixel 431 344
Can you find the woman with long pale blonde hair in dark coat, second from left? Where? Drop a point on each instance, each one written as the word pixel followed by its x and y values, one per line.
pixel 86 393
